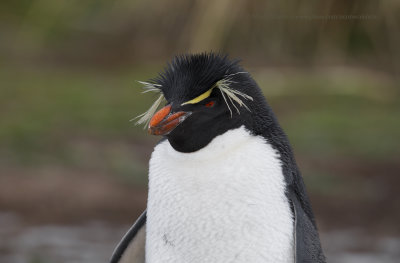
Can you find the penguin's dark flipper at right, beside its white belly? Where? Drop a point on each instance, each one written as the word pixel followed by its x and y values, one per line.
pixel 307 244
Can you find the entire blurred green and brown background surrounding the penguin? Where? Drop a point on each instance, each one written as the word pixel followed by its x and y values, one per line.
pixel 73 169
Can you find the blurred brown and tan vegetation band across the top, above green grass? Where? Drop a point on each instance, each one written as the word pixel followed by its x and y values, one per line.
pixel 109 33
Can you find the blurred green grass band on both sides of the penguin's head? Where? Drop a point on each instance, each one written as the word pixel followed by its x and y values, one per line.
pixel 63 117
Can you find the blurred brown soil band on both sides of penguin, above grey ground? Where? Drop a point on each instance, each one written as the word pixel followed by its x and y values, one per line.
pixel 56 195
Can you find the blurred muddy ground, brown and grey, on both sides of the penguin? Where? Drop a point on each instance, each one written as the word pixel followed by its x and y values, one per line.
pixel 59 215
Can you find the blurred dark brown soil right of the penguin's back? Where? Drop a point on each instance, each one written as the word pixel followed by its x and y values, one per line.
pixel 372 201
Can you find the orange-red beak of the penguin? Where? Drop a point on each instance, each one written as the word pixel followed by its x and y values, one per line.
pixel 164 121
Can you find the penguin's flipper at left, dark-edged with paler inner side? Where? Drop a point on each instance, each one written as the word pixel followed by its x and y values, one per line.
pixel 132 246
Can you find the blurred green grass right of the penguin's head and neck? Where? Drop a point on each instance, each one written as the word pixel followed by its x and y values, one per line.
pixel 324 115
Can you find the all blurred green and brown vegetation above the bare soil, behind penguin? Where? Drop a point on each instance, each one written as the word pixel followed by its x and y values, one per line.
pixel 68 71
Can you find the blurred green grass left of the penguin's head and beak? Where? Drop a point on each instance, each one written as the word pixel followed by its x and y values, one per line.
pixel 40 109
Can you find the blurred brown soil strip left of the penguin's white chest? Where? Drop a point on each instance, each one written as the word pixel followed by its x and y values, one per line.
pixel 58 196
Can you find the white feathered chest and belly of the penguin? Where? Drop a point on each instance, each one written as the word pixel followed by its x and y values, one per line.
pixel 223 203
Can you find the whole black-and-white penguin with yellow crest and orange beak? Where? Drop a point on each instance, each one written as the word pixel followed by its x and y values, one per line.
pixel 224 185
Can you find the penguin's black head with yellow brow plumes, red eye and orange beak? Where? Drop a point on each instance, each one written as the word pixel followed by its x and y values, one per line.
pixel 206 95
